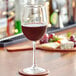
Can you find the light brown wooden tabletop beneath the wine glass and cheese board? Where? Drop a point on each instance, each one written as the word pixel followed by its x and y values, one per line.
pixel 59 64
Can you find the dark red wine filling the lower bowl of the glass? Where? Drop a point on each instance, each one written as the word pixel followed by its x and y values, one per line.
pixel 34 31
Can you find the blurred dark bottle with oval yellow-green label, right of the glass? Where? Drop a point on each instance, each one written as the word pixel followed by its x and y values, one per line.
pixel 53 13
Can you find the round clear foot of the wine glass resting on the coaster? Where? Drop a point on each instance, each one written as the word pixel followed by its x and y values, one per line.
pixel 34 71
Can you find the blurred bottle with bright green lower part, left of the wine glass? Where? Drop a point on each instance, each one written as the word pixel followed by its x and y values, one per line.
pixel 17 17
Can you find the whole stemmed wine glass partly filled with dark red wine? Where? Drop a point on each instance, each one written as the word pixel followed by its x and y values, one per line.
pixel 34 24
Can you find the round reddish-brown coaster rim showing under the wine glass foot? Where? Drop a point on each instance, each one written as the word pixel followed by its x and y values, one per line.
pixel 21 72
